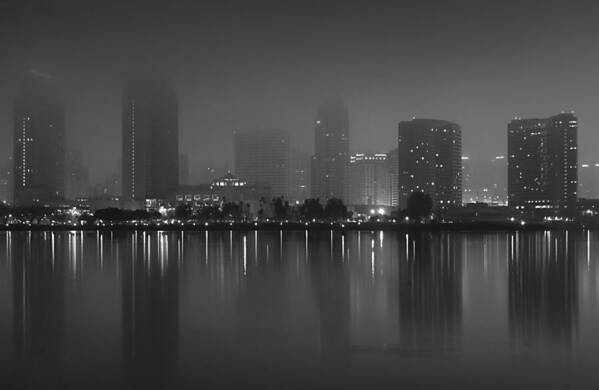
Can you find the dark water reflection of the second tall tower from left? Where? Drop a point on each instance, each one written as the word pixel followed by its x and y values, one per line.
pixel 150 309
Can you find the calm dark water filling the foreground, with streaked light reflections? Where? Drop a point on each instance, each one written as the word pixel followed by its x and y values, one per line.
pixel 299 310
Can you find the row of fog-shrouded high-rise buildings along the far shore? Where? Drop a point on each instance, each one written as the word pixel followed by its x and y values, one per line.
pixel 263 156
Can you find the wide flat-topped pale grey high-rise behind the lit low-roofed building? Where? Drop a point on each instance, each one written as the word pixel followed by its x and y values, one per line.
pixel 262 157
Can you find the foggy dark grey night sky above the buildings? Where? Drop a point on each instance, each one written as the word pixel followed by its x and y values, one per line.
pixel 250 64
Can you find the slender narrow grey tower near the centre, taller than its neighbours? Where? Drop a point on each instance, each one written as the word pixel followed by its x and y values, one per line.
pixel 330 163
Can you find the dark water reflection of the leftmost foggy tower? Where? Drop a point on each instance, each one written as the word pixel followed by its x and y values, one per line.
pixel 38 311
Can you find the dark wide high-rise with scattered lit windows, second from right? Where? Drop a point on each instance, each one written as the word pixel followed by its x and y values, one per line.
pixel 430 154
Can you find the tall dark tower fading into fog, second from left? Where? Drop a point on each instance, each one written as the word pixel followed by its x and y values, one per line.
pixel 150 163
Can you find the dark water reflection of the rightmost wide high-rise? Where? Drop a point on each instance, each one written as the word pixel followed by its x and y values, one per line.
pixel 543 288
